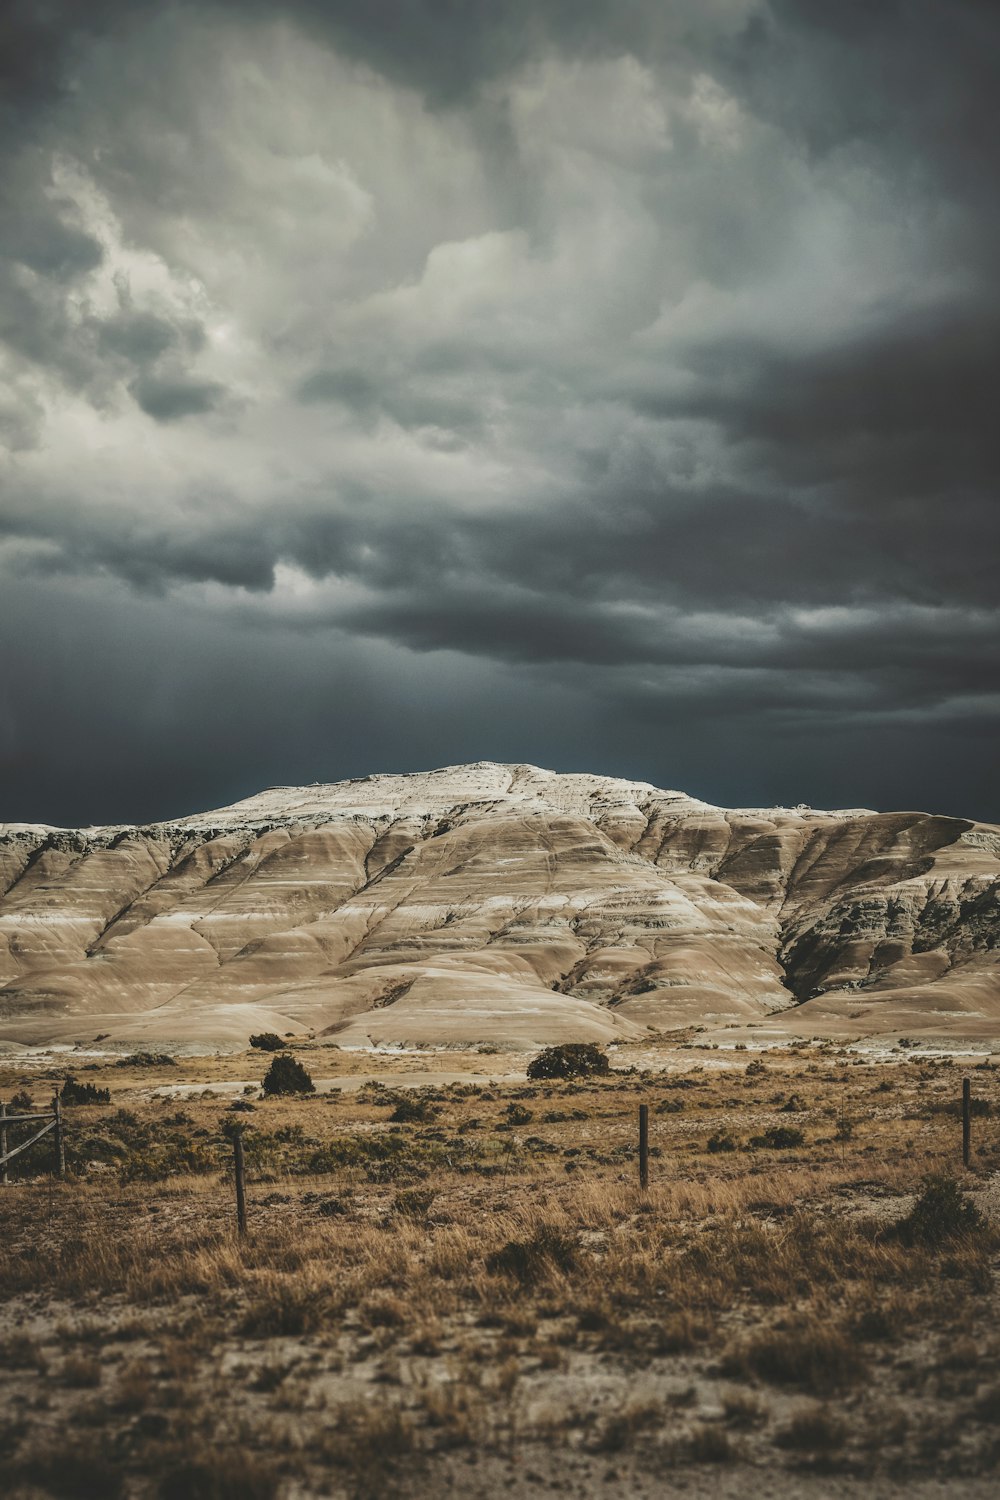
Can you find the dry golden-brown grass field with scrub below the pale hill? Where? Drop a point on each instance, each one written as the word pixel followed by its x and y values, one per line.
pixel 460 1286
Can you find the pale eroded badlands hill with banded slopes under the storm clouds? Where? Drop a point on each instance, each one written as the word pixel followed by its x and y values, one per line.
pixel 499 904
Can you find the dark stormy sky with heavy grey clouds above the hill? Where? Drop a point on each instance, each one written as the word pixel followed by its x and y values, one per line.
pixel 605 385
